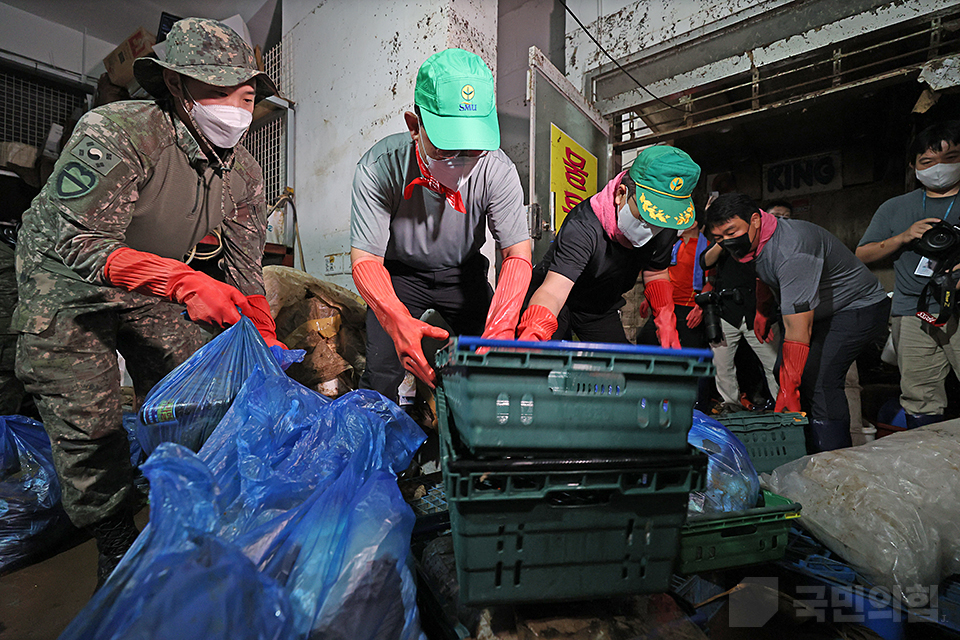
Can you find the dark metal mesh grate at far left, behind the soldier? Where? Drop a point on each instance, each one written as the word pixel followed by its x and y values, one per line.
pixel 29 106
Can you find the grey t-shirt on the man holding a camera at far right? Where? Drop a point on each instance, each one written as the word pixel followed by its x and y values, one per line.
pixel 895 216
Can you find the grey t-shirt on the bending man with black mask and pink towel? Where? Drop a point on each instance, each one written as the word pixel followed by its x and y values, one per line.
pixel 811 269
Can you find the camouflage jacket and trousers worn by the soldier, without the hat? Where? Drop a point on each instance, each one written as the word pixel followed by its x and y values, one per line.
pixel 131 175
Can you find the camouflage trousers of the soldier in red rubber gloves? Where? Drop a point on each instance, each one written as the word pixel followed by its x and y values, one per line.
pixel 71 368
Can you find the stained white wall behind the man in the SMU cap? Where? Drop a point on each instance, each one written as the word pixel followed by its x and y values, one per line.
pixel 353 68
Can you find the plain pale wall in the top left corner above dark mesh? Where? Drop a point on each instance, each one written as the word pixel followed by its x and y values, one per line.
pixel 41 40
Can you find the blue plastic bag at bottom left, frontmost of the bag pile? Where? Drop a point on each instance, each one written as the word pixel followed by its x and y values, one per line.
pixel 179 580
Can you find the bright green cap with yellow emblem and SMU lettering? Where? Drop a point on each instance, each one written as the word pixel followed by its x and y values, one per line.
pixel 457 103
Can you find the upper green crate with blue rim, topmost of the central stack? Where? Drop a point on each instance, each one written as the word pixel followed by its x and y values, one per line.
pixel 532 400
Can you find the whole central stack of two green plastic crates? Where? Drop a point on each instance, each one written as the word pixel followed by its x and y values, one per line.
pixel 566 466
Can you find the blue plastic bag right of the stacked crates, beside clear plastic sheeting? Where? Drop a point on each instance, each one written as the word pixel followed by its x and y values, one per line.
pixel 732 482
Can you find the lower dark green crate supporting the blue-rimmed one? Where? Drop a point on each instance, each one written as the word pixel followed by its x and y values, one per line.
pixel 539 530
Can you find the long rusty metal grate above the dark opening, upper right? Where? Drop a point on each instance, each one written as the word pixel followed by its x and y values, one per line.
pixel 884 55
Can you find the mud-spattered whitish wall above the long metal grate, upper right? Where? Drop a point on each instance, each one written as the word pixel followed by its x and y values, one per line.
pixel 636 28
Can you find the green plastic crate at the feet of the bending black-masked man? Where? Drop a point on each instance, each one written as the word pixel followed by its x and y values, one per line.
pixel 771 439
